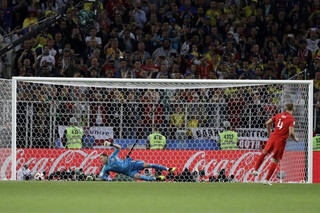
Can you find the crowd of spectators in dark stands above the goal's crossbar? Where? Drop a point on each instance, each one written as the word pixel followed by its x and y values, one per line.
pixel 177 39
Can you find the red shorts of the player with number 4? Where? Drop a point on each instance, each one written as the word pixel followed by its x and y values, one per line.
pixel 277 146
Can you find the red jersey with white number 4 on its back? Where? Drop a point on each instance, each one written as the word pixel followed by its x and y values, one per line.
pixel 282 123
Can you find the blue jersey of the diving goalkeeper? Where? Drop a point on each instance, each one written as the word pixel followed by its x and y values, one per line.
pixel 115 164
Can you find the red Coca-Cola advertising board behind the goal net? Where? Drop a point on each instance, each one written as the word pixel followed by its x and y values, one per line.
pixel 237 163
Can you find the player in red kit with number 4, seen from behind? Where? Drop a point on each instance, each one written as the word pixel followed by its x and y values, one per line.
pixel 284 127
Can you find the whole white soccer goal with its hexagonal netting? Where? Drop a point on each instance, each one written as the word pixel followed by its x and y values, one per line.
pixel 38 114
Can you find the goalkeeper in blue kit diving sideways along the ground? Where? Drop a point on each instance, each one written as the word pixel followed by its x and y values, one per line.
pixel 127 166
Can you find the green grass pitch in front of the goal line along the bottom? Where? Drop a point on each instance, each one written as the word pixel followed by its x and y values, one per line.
pixel 129 197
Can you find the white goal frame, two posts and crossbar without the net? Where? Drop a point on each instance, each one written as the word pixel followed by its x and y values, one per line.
pixel 15 80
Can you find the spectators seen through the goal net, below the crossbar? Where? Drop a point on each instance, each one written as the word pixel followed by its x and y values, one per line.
pixel 134 112
